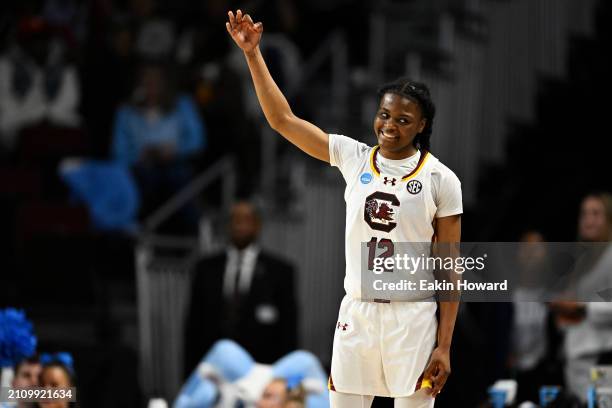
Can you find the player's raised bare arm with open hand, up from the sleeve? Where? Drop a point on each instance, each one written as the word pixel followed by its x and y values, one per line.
pixel 301 133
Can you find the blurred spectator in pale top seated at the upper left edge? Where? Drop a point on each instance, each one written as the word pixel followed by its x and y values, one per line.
pixel 36 83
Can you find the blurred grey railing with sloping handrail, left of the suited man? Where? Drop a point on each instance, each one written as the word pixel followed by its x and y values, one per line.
pixel 163 275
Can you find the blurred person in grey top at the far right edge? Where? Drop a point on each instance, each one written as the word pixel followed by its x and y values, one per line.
pixel 588 325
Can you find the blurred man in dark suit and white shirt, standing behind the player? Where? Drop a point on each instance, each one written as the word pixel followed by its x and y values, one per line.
pixel 244 294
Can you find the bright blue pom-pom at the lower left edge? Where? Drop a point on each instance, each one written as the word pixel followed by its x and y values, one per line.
pixel 17 340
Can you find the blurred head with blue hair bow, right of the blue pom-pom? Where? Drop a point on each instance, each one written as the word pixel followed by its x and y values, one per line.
pixel 57 372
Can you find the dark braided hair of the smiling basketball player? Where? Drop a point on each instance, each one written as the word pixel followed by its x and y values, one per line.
pixel 419 93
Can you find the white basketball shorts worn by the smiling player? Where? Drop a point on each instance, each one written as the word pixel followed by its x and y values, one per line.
pixel 382 348
